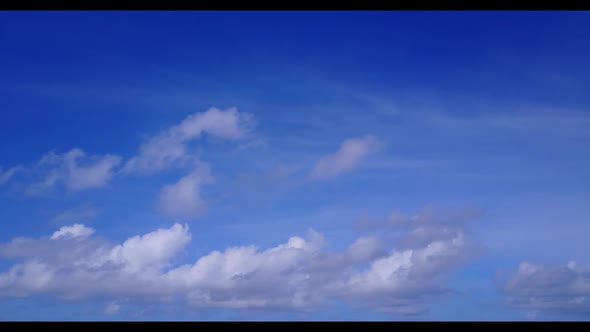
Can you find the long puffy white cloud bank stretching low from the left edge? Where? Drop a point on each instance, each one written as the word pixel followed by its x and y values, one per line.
pixel 300 274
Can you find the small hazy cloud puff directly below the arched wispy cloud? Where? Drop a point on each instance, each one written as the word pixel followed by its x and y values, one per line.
pixel 183 199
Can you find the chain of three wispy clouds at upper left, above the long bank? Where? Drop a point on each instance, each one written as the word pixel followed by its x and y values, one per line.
pixel 74 170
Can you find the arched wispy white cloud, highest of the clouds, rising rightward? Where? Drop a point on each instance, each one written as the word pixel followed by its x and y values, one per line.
pixel 169 148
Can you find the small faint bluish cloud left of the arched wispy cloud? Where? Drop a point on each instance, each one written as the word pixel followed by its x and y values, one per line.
pixel 72 171
